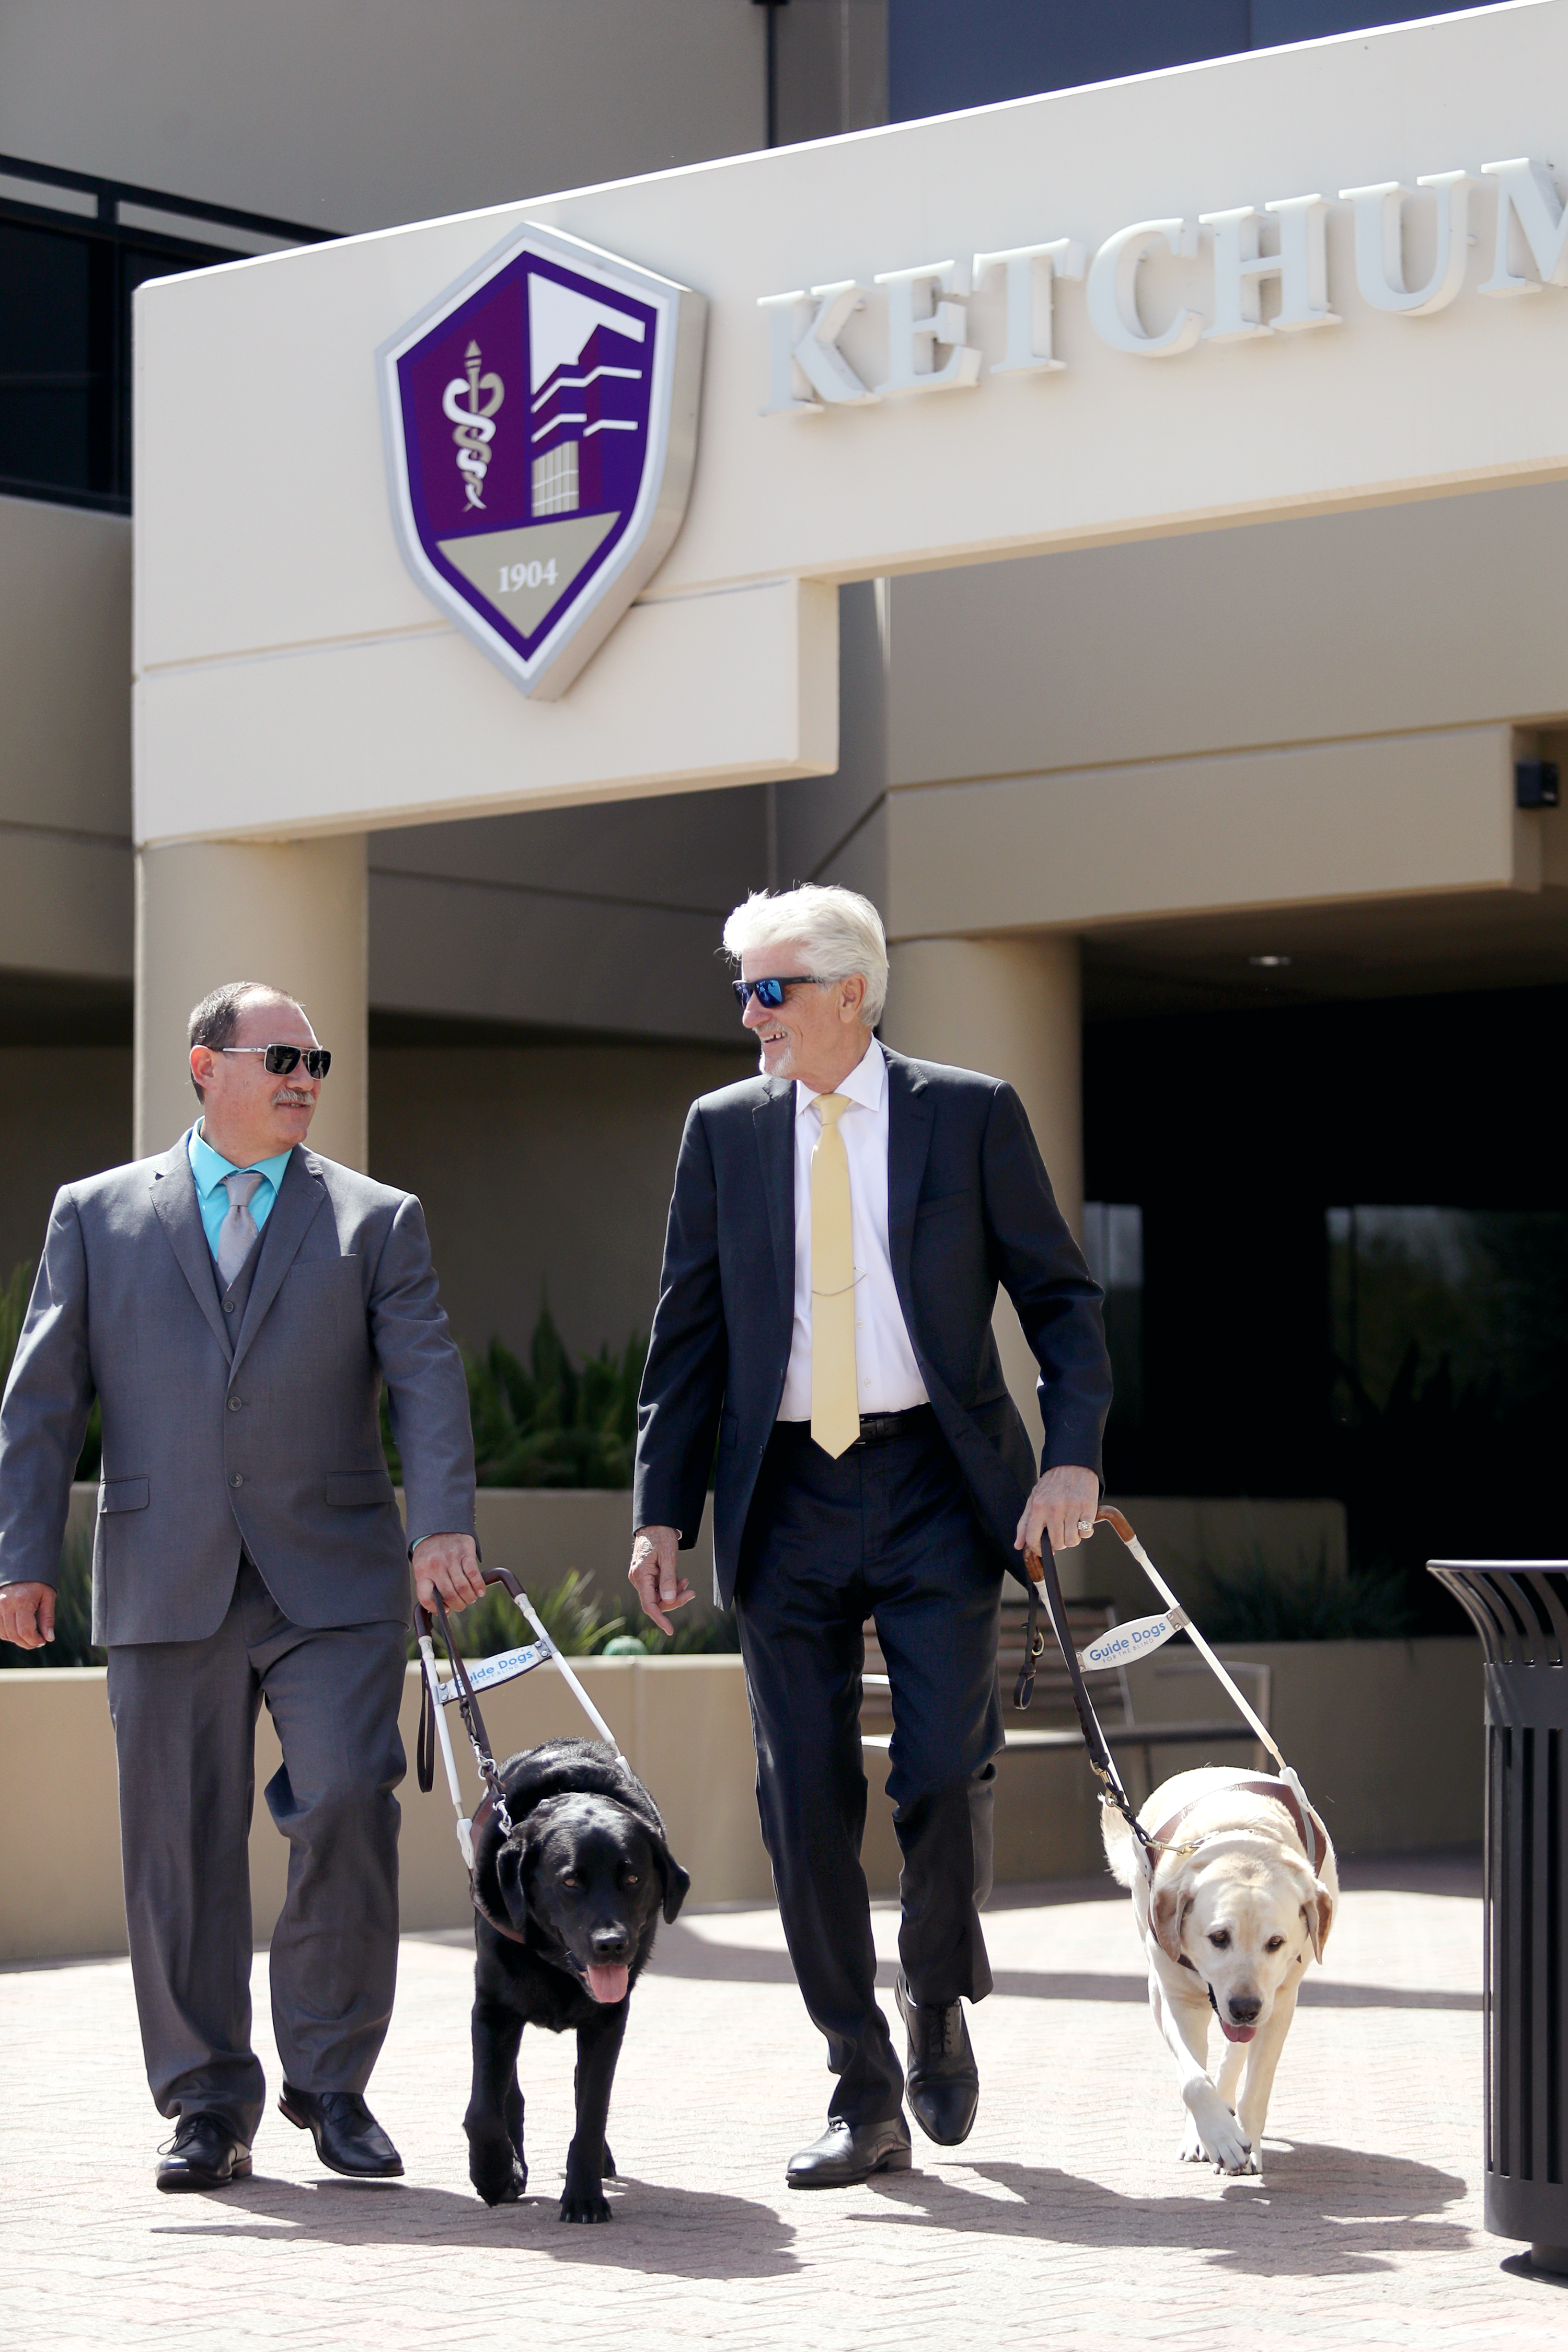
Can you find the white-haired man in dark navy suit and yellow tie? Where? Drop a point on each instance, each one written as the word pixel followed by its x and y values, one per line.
pixel 831 1269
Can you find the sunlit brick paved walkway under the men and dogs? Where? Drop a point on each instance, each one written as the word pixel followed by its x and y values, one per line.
pixel 1064 2221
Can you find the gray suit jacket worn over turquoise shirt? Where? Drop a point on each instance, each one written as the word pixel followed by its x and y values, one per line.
pixel 213 1436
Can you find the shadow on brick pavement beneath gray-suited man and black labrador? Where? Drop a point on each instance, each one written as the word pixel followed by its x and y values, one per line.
pixel 685 2233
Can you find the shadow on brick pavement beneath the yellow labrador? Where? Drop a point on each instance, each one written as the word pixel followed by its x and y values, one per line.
pixel 1320 2212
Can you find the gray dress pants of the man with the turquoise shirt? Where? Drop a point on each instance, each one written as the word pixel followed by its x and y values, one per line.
pixel 187 1742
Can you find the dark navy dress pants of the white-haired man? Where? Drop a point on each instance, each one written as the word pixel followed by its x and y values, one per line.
pixel 885 1532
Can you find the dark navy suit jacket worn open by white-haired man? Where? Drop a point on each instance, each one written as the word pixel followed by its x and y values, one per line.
pixel 970 1208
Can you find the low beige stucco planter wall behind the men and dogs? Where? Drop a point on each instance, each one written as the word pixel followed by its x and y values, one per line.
pixel 1407 1779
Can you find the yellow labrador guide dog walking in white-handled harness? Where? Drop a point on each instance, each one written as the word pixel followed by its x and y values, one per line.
pixel 1245 1895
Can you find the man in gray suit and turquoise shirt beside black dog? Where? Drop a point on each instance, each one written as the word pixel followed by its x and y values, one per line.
pixel 236 1304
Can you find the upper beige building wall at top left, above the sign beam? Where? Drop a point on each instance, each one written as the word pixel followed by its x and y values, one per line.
pixel 344 116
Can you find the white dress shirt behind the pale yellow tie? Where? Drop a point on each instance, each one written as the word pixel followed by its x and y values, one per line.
pixel 885 1363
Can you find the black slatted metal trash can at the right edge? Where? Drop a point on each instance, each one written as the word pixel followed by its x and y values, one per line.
pixel 1520 1608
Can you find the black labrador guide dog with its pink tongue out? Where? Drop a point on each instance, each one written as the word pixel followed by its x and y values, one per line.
pixel 565 1920
